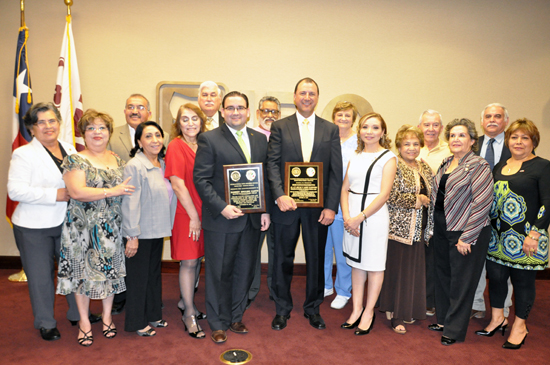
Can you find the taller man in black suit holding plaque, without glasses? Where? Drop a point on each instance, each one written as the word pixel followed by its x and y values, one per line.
pixel 302 137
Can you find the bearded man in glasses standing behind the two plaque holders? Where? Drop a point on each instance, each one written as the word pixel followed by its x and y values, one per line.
pixel 269 110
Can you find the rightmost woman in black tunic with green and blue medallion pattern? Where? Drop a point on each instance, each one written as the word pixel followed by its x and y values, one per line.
pixel 519 243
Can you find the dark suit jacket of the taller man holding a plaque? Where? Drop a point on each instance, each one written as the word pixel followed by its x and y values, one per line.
pixel 285 146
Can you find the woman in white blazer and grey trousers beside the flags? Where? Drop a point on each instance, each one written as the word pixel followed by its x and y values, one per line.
pixel 35 181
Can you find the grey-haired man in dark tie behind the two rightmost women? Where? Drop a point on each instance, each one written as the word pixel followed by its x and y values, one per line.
pixel 494 119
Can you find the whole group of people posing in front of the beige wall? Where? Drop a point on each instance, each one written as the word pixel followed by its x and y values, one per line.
pixel 417 227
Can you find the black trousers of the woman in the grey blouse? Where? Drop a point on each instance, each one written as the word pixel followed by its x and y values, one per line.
pixel 144 285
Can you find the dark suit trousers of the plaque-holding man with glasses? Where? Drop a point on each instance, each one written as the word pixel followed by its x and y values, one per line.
pixel 230 261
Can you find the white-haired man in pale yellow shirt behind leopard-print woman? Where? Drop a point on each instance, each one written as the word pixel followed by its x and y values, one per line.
pixel 433 153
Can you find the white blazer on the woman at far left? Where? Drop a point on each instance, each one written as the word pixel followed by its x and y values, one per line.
pixel 33 180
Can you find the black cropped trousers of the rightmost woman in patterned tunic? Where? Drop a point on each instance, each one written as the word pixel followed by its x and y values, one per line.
pixel 523 282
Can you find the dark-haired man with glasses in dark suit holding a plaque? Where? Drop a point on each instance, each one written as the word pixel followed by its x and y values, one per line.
pixel 231 237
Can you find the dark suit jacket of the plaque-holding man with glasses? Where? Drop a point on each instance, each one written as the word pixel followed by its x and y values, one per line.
pixel 216 148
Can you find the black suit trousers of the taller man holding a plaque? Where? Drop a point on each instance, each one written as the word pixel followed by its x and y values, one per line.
pixel 314 235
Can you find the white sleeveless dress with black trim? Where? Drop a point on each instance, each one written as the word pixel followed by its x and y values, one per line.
pixel 370 255
